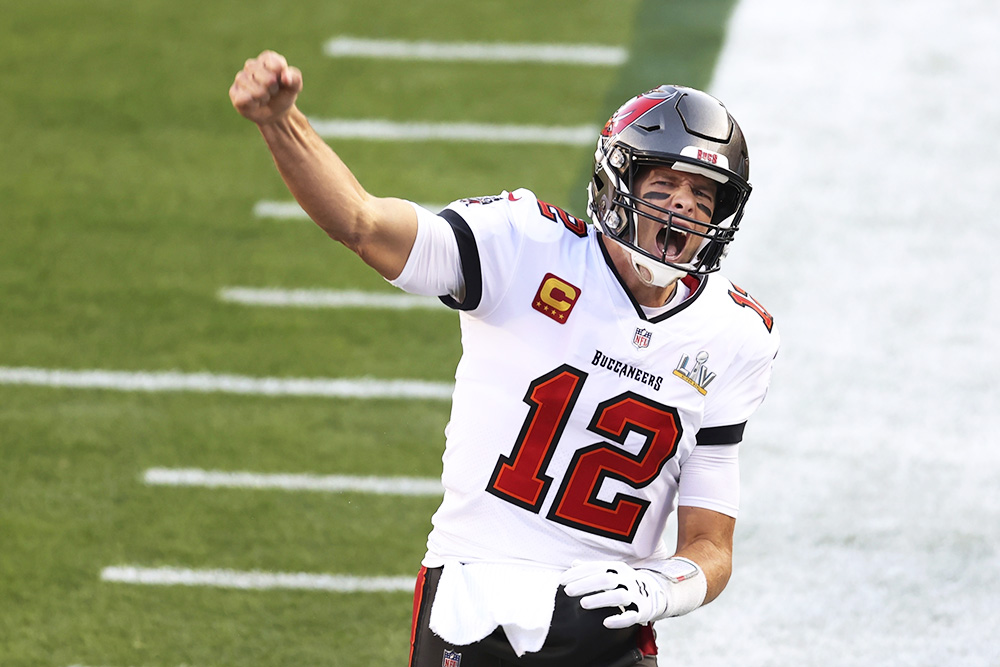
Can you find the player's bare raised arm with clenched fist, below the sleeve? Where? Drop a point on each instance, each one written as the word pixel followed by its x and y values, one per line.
pixel 380 230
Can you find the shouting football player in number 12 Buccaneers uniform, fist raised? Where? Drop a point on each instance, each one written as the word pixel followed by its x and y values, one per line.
pixel 606 378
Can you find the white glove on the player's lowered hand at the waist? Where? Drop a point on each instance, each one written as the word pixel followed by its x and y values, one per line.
pixel 641 595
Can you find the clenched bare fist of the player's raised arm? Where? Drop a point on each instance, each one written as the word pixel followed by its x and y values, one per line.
pixel 266 88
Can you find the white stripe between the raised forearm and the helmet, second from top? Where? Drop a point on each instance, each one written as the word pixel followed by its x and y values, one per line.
pixel 384 130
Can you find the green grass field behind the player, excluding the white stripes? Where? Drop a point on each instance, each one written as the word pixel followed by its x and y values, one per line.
pixel 126 199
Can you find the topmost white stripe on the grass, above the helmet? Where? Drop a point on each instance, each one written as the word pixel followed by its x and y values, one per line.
pixel 498 52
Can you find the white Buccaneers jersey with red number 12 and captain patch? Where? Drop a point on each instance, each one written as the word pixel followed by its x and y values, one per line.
pixel 574 412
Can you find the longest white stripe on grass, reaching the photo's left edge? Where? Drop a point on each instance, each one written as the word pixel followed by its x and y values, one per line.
pixel 228 384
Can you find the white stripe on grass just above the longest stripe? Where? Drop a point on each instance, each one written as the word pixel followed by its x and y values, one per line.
pixel 324 298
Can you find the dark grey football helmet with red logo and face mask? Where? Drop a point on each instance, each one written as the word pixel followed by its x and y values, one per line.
pixel 686 130
